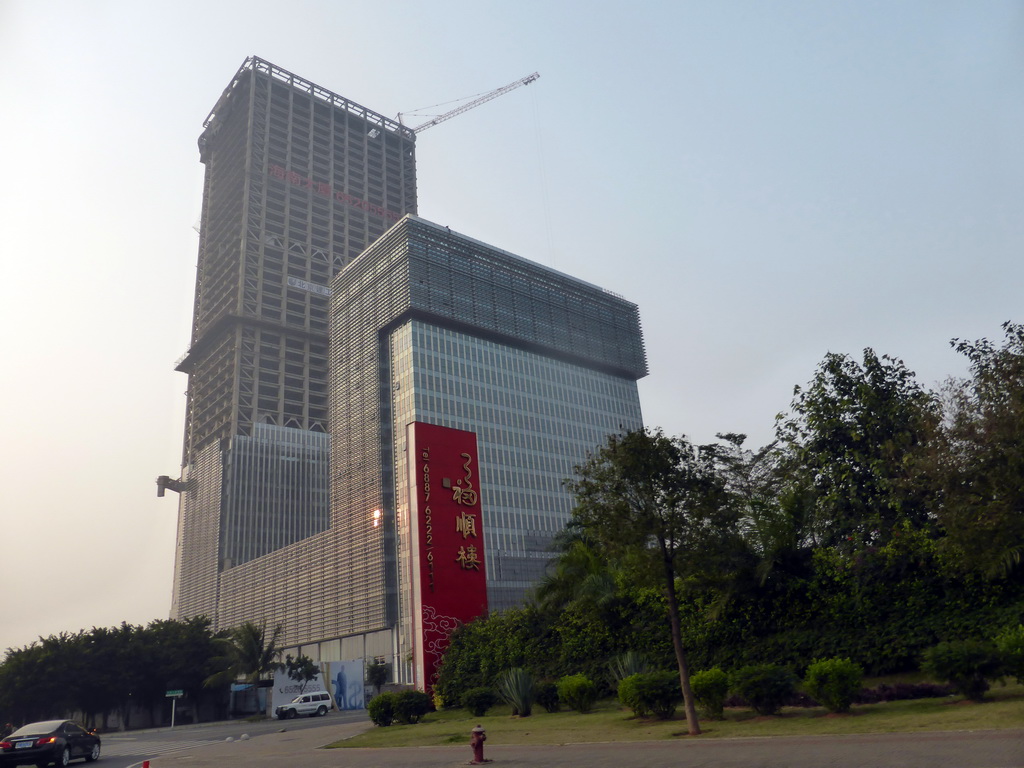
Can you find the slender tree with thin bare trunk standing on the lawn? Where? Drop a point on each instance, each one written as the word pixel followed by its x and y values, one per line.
pixel 659 502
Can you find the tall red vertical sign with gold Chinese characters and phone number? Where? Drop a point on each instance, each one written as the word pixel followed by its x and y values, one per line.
pixel 450 584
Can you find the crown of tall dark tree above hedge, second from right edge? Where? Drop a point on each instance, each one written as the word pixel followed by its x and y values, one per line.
pixel 855 440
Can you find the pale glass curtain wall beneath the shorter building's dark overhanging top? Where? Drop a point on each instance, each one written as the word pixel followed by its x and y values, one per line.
pixel 536 418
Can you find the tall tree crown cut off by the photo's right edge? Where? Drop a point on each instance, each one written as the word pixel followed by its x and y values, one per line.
pixel 980 461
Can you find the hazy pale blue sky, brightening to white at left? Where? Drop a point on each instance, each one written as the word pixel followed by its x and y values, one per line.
pixel 770 182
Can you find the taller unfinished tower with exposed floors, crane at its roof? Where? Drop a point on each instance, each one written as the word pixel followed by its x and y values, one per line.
pixel 298 183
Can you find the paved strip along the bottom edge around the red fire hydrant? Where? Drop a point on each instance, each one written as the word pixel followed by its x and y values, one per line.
pixel 1003 749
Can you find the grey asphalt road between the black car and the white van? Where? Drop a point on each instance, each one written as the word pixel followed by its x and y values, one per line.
pixel 131 749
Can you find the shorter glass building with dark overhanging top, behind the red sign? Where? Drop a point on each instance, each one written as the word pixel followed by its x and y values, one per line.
pixel 429 326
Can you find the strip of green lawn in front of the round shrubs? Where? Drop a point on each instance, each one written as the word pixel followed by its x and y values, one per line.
pixel 609 722
